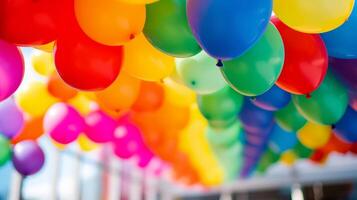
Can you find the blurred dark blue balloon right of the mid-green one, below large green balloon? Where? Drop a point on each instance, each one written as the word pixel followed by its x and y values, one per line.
pixel 256 120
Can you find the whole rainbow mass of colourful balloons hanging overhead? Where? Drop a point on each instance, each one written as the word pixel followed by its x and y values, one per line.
pixel 216 89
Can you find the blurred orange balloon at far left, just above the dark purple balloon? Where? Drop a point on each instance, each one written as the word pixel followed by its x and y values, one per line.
pixel 32 130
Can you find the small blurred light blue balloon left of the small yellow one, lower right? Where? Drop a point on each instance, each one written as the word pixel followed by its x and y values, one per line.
pixel 281 140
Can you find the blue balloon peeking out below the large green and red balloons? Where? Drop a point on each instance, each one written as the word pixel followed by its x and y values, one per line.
pixel 273 100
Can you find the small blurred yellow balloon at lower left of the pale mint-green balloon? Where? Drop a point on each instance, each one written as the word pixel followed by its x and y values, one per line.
pixel 178 94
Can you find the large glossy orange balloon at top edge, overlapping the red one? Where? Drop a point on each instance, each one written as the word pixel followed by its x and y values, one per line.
pixel 110 22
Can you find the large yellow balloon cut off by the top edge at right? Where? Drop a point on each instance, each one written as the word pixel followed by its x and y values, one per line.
pixel 313 16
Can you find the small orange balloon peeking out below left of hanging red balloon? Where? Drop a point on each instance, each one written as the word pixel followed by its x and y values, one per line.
pixel 59 89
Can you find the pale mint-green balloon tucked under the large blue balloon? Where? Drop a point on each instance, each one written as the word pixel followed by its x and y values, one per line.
pixel 200 73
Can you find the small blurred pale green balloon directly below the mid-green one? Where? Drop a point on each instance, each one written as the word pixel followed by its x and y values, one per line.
pixel 225 137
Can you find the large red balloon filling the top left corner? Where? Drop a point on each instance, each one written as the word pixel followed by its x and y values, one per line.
pixel 27 22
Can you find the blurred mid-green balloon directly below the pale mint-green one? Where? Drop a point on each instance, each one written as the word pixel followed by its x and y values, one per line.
pixel 220 108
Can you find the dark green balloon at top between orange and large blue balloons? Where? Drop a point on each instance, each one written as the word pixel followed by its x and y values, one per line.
pixel 167 28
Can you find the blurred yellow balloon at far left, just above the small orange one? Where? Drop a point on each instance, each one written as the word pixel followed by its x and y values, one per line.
pixel 34 99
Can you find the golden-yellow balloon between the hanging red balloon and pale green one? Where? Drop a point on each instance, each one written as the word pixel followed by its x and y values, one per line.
pixel 144 62
